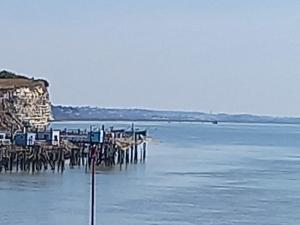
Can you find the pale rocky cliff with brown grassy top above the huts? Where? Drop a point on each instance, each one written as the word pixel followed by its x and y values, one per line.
pixel 24 103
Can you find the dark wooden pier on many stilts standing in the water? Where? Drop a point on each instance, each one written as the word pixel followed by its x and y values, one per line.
pixel 118 147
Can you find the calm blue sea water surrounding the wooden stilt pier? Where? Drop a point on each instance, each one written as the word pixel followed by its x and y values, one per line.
pixel 195 173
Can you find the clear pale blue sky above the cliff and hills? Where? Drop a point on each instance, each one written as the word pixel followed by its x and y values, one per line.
pixel 215 56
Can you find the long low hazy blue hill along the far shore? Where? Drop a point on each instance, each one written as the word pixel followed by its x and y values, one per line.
pixel 95 113
